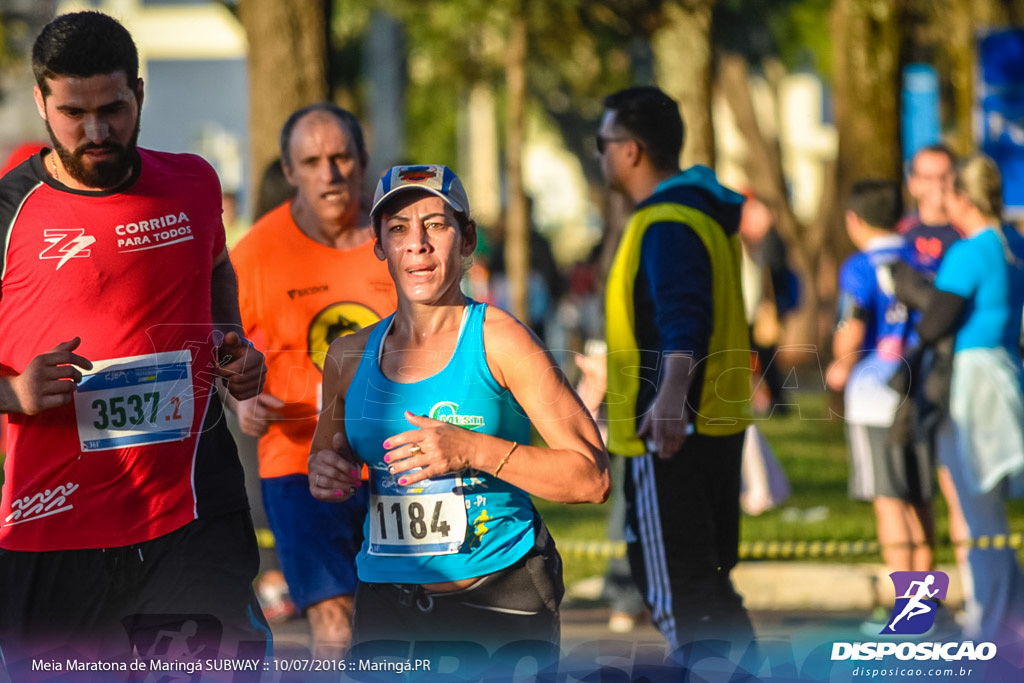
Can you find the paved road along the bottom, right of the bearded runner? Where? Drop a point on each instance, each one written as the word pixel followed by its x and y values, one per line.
pixel 792 646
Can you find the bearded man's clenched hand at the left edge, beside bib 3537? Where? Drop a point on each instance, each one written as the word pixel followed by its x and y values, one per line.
pixel 49 380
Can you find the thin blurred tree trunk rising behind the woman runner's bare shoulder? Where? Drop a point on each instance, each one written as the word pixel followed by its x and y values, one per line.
pixel 517 221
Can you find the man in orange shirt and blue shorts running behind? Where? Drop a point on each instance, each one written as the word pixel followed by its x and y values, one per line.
pixel 308 275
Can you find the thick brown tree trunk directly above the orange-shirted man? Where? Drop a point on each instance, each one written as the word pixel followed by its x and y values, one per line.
pixel 287 68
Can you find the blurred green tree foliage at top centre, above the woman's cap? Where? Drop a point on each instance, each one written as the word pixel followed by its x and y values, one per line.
pixel 578 53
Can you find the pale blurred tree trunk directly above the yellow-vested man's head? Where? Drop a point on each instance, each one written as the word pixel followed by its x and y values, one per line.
pixel 682 67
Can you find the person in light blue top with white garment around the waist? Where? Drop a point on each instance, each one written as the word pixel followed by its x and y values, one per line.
pixel 980 297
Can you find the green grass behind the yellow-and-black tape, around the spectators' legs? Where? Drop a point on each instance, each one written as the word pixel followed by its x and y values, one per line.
pixel 812 449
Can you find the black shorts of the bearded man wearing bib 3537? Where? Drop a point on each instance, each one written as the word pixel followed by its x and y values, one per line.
pixel 185 595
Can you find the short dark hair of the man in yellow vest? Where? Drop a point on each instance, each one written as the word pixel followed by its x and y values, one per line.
pixel 653 118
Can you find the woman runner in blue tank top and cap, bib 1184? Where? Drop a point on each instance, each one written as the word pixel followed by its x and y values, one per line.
pixel 438 402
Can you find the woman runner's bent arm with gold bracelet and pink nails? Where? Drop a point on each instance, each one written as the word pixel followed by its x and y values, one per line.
pixel 574 467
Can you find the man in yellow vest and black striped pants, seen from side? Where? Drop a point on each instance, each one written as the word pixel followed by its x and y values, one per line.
pixel 679 375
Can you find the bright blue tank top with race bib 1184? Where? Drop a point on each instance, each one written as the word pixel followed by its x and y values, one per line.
pixel 451 528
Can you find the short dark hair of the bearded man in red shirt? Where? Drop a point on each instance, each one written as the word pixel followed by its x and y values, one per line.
pixel 83 45
